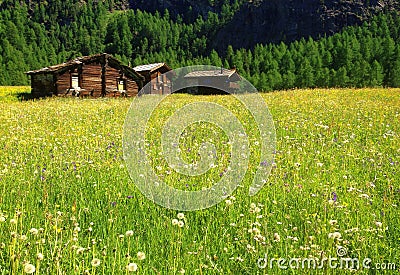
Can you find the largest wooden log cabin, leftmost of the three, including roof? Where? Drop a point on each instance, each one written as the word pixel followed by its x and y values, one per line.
pixel 99 75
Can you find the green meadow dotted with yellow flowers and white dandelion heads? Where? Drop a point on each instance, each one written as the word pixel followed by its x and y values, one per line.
pixel 68 206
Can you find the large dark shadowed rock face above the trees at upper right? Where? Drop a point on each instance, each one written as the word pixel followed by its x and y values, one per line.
pixel 275 20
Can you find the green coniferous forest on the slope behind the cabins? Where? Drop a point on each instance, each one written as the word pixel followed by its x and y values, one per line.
pixel 38 34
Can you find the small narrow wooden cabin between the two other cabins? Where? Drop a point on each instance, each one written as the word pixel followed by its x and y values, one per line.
pixel 160 84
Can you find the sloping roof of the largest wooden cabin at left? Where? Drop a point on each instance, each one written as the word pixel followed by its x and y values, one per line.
pixel 113 62
